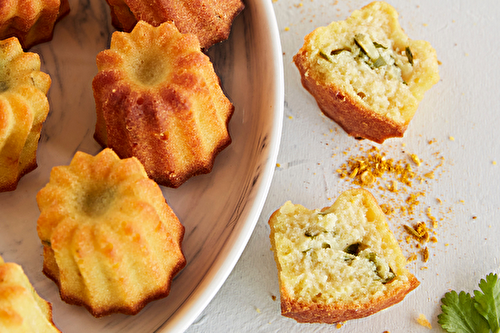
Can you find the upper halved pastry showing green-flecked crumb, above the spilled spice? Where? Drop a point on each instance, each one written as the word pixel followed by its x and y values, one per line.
pixel 366 74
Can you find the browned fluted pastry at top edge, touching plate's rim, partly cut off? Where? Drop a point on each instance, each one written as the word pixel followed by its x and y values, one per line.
pixel 209 20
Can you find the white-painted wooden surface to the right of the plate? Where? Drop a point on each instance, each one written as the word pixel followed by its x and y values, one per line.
pixel 460 115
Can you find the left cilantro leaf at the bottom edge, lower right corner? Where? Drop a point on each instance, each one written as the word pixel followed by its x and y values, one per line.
pixel 460 315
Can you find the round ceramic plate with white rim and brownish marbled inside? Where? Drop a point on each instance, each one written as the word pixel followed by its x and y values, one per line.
pixel 219 210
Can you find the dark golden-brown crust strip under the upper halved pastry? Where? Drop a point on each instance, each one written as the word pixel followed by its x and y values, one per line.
pixel 354 118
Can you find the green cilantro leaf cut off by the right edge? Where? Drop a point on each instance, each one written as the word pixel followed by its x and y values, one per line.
pixel 488 302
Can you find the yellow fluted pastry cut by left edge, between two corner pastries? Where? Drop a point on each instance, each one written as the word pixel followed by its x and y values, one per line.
pixel 23 109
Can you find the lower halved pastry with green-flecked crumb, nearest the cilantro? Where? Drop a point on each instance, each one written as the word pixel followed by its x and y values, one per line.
pixel 338 263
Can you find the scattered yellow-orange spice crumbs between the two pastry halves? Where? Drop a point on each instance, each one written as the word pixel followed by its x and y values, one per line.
pixel 401 183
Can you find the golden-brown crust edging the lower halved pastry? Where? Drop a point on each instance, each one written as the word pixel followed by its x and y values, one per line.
pixel 340 311
